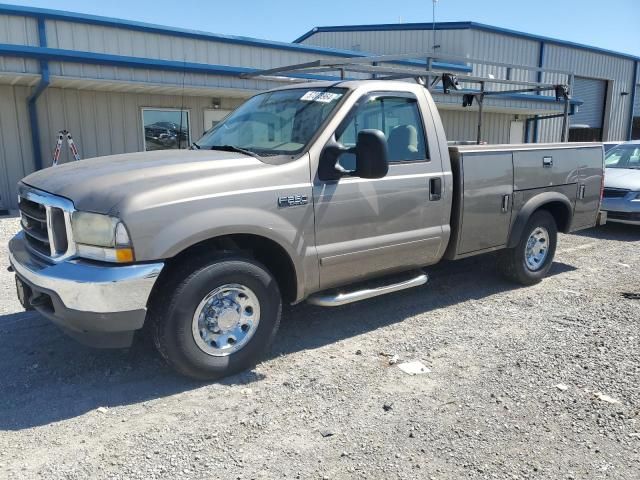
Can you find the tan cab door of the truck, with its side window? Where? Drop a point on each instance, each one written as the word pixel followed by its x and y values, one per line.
pixel 368 227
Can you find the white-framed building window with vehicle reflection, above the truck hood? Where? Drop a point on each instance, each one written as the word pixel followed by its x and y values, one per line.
pixel 166 128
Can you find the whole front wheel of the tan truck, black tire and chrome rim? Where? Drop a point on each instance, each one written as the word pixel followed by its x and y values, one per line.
pixel 214 317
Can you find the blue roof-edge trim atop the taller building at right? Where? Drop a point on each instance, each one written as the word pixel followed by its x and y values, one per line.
pixel 460 26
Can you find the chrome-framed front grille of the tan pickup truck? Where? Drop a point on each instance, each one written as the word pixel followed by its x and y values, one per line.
pixel 46 222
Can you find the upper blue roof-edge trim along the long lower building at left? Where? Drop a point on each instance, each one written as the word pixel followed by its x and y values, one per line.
pixel 197 34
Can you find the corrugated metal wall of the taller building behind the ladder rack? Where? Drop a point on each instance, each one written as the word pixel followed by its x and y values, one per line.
pixel 509 49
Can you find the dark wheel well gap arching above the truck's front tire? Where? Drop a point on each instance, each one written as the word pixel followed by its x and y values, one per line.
pixel 262 249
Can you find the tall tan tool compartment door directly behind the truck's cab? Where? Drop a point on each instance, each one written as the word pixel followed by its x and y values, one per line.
pixel 487 182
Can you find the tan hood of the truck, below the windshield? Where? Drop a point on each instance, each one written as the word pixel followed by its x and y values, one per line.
pixel 100 184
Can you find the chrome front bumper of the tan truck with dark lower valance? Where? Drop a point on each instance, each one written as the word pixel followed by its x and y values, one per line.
pixel 98 304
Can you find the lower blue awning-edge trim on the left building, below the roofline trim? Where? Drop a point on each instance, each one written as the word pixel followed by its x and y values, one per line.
pixel 56 54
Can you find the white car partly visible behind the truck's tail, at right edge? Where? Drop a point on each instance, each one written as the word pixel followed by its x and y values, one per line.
pixel 621 197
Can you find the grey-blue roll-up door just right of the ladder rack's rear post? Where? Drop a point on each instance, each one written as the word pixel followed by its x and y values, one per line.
pixel 586 124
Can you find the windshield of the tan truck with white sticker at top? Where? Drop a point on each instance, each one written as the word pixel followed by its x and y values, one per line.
pixel 274 123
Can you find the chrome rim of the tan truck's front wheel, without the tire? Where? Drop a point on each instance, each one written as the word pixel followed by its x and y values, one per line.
pixel 226 319
